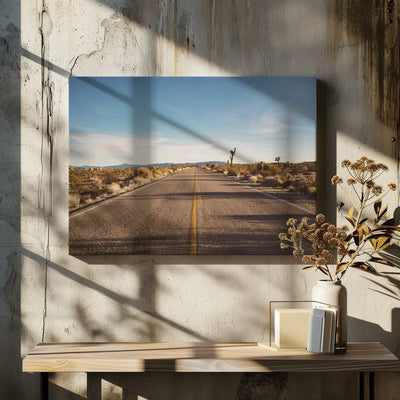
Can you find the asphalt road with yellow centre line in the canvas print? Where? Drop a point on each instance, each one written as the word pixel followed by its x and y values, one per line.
pixel 194 211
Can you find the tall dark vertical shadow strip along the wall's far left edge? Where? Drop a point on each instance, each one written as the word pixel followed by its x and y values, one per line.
pixel 10 204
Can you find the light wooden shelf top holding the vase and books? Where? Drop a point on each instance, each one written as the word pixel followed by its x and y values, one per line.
pixel 202 357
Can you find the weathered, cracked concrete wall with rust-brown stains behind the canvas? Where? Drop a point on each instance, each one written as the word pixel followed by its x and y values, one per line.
pixel 46 295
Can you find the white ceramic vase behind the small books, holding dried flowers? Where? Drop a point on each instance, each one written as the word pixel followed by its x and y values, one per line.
pixel 335 294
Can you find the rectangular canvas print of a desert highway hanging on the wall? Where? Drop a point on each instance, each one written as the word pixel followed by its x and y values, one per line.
pixel 189 165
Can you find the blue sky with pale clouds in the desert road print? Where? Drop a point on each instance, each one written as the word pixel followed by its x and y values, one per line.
pixel 191 119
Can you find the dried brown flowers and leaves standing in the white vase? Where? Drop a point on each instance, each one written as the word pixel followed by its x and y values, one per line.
pixel 356 245
